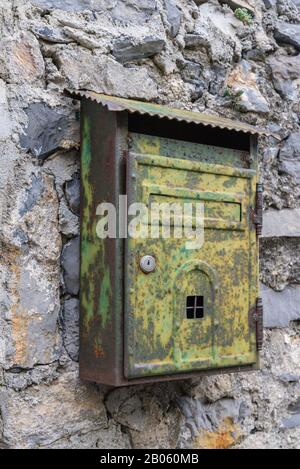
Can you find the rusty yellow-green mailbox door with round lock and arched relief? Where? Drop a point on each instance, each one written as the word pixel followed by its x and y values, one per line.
pixel 192 311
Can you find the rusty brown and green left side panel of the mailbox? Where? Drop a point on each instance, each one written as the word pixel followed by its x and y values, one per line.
pixel 101 341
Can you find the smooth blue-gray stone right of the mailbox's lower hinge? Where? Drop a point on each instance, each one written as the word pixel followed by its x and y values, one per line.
pixel 280 307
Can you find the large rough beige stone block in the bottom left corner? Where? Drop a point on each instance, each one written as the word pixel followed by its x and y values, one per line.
pixel 43 415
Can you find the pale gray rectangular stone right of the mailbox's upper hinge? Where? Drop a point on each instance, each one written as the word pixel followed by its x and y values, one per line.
pixel 277 223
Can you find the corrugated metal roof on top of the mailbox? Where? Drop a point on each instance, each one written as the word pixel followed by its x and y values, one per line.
pixel 121 104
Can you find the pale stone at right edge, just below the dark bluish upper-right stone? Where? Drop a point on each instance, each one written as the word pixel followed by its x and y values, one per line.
pixel 285 75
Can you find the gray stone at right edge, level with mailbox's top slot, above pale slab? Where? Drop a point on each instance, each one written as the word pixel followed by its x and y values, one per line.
pixel 289 156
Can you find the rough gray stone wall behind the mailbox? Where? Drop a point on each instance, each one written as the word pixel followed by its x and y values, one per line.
pixel 200 55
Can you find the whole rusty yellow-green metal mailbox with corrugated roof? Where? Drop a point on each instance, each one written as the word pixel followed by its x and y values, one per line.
pixel 152 309
